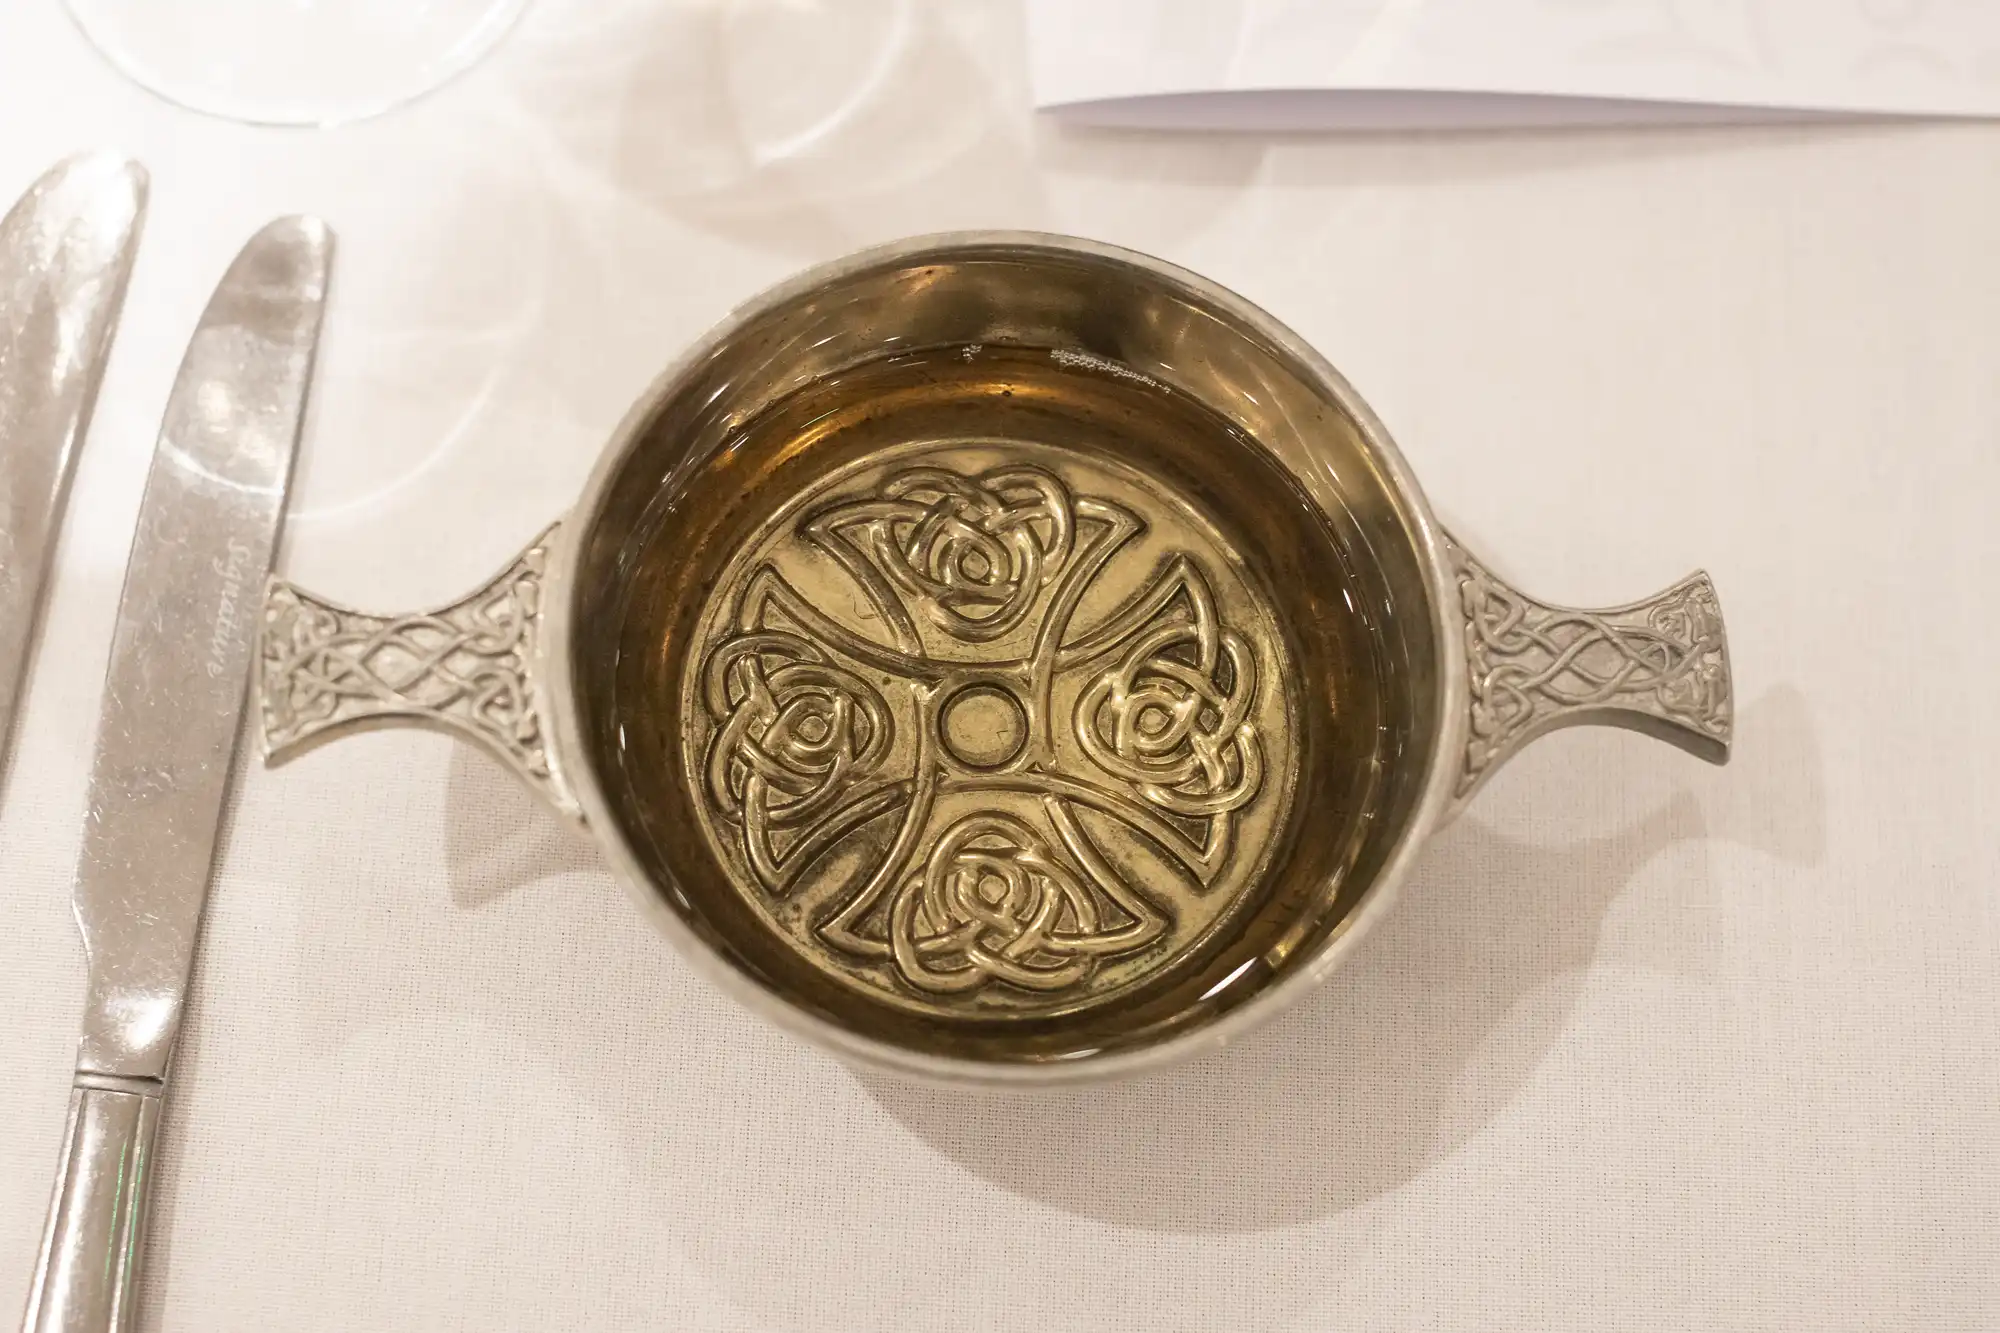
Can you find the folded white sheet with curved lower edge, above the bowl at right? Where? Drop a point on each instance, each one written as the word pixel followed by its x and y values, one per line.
pixel 1489 63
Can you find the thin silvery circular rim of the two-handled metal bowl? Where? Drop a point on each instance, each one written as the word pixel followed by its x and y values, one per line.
pixel 559 688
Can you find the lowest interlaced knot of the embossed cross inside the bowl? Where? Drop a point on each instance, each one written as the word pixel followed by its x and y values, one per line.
pixel 993 904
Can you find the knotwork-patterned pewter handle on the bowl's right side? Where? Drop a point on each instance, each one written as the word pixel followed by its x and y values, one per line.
pixel 1659 665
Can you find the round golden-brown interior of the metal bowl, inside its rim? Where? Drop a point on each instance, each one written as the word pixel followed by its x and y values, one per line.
pixel 1005 651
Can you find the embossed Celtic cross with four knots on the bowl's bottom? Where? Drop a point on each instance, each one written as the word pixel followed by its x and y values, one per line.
pixel 977 720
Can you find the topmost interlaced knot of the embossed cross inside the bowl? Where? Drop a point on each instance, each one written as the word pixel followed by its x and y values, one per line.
pixel 971 551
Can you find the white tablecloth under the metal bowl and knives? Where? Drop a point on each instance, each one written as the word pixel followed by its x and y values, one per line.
pixel 1645 1046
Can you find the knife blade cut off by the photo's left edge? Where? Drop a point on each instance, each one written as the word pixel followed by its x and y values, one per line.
pixel 65 261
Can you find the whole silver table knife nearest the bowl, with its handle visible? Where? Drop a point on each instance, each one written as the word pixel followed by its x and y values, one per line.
pixel 167 744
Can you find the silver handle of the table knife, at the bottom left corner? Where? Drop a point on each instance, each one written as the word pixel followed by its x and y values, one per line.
pixel 87 1280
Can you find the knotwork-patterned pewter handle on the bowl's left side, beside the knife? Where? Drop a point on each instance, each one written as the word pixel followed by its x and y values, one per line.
pixel 469 670
